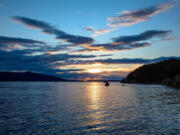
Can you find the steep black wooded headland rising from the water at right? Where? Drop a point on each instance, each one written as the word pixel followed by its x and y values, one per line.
pixel 166 73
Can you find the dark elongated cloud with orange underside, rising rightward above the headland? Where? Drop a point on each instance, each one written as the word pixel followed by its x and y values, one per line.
pixel 122 43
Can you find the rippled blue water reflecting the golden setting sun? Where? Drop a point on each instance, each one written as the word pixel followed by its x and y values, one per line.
pixel 67 108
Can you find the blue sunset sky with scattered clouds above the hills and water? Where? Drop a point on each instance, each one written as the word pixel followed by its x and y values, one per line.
pixel 87 39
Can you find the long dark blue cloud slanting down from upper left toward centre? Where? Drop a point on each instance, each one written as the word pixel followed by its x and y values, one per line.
pixel 47 28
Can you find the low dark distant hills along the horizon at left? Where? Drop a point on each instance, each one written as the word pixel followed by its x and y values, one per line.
pixel 27 76
